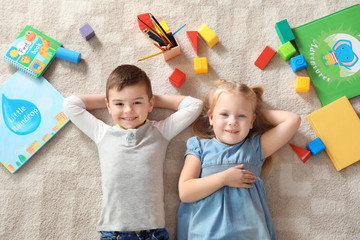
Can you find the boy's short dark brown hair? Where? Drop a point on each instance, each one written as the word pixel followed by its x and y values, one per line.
pixel 126 75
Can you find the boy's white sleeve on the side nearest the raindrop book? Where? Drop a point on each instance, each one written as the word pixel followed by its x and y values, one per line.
pixel 76 110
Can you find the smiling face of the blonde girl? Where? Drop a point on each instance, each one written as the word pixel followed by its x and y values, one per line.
pixel 232 118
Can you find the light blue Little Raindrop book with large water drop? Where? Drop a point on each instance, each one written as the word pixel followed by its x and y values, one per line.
pixel 31 113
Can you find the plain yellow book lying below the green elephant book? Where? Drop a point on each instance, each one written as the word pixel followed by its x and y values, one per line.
pixel 338 127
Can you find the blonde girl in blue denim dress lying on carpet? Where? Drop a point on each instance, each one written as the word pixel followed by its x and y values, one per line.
pixel 220 189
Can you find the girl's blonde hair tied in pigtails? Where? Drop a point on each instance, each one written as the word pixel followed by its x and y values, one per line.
pixel 202 127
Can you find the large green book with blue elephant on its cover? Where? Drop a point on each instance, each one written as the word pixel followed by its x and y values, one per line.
pixel 331 47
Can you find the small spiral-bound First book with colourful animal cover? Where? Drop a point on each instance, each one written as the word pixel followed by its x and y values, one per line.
pixel 32 51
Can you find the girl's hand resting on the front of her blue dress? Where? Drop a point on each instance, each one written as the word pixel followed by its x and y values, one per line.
pixel 238 177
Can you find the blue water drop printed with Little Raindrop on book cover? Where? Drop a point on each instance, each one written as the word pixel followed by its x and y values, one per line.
pixel 20 116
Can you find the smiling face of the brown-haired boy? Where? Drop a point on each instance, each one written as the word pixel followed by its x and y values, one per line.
pixel 130 106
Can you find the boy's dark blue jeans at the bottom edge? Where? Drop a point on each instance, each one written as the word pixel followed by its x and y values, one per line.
pixel 153 234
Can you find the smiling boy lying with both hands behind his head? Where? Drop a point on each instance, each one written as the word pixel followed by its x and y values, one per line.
pixel 132 152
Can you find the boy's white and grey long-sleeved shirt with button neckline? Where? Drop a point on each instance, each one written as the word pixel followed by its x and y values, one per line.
pixel 132 164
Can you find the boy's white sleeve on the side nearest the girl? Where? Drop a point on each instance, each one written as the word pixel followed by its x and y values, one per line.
pixel 189 109
